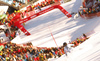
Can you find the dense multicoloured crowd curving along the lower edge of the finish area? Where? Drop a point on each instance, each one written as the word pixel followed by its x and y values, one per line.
pixel 27 52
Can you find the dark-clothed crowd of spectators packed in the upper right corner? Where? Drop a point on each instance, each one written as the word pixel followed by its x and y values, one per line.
pixel 89 6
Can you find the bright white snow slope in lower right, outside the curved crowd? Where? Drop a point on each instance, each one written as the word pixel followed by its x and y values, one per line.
pixel 87 51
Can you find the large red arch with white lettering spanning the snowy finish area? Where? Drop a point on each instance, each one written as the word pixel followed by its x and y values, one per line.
pixel 20 21
